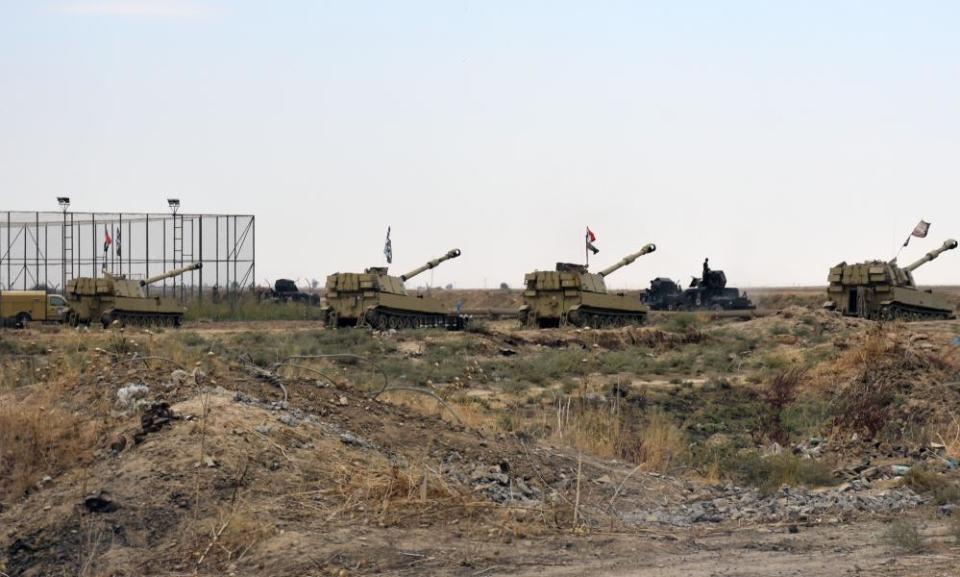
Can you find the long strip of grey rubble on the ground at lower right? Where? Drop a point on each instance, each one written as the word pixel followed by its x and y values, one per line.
pixel 786 505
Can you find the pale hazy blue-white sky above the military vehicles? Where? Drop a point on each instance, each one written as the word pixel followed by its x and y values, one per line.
pixel 777 138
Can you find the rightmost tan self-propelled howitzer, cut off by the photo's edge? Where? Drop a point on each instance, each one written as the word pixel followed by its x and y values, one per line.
pixel 883 290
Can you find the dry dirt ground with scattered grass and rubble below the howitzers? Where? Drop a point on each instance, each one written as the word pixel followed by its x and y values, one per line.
pixel 246 452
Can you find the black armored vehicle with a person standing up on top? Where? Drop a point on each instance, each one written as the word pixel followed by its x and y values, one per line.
pixel 708 292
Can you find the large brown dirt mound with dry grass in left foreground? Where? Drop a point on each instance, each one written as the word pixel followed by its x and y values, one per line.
pixel 201 478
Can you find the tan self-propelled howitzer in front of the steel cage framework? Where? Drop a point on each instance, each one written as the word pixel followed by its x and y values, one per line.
pixel 117 298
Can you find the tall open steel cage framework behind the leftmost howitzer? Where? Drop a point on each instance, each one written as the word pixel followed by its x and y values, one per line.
pixel 48 248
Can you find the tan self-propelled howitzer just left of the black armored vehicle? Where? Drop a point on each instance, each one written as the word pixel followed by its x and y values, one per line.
pixel 571 294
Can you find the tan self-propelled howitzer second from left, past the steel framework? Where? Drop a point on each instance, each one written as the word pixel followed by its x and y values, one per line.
pixel 376 299
